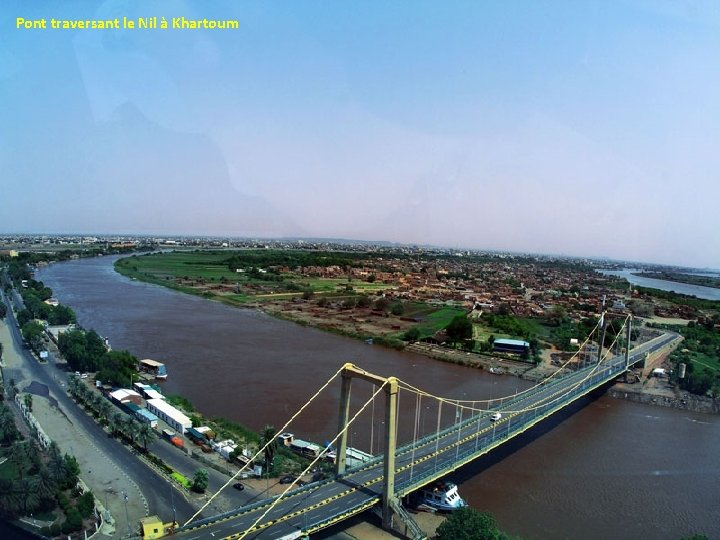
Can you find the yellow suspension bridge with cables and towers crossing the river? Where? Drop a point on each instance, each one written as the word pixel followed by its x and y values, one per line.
pixel 463 431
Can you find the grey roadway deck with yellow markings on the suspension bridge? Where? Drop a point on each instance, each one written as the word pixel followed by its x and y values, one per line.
pixel 416 465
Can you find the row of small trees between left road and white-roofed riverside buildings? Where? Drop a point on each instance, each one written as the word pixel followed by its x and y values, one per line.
pixel 135 432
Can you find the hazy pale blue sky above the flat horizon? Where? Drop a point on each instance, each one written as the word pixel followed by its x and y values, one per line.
pixel 580 128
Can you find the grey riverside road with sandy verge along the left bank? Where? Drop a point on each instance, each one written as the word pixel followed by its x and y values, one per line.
pixel 107 466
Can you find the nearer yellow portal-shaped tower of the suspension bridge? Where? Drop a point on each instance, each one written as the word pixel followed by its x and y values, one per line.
pixel 390 385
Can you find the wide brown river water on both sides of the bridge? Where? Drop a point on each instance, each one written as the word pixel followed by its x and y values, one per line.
pixel 604 469
